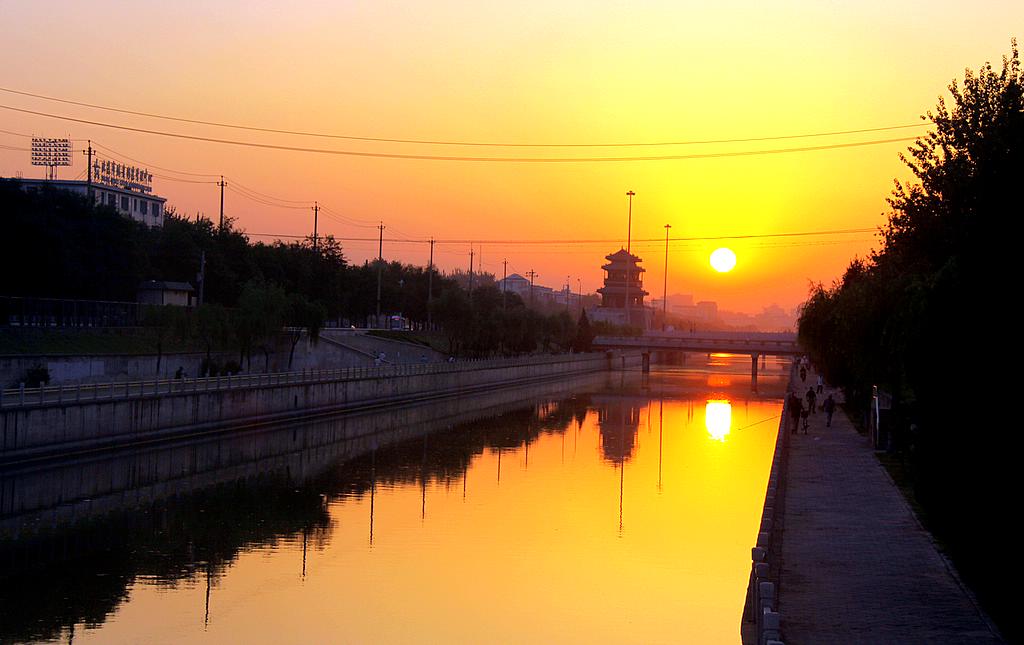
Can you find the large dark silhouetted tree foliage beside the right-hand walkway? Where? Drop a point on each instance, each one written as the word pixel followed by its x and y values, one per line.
pixel 922 319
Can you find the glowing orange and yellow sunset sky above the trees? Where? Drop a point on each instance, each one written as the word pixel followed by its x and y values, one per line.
pixel 526 72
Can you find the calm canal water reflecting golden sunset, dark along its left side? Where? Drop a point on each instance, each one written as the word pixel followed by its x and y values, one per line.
pixel 612 508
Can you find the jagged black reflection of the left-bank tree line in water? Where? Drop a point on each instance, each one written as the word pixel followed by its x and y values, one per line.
pixel 80 575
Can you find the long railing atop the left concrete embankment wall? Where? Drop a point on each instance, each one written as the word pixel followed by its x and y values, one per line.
pixel 118 391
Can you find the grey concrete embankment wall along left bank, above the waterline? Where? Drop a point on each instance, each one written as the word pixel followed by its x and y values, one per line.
pixel 52 423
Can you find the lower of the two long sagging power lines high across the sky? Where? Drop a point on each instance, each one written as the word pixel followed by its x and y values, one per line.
pixel 520 160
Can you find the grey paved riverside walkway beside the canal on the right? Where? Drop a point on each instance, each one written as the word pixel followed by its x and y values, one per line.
pixel 857 567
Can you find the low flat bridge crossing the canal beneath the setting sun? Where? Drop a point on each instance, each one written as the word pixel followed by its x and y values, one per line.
pixel 756 345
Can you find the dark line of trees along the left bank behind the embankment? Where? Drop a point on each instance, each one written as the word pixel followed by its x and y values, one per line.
pixel 61 246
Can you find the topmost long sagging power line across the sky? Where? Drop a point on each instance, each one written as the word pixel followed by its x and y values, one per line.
pixel 450 143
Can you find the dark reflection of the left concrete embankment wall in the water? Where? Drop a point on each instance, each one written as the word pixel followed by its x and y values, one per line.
pixel 37 499
